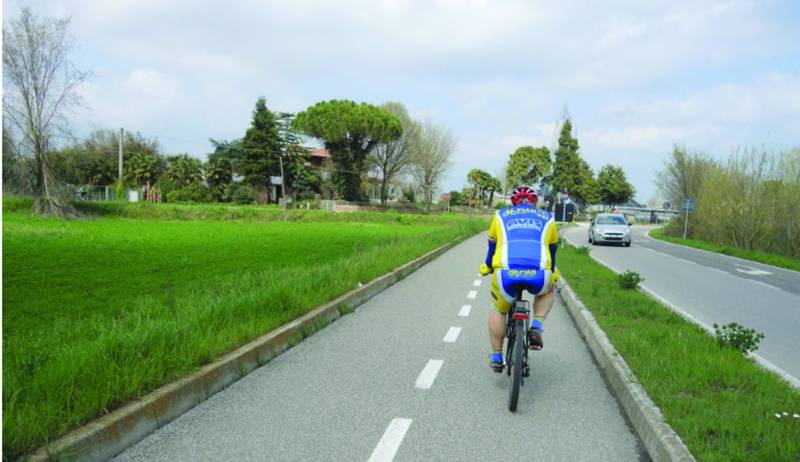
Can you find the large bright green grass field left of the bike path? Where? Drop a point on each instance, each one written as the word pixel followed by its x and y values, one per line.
pixel 102 310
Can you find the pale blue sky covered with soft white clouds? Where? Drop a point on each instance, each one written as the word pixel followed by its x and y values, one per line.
pixel 635 77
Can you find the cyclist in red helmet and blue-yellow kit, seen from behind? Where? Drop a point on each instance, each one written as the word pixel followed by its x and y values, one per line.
pixel 522 255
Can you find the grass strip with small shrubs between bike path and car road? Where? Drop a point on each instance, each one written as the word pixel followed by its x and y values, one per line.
pixel 721 404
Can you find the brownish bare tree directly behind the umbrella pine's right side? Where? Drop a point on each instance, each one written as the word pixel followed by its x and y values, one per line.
pixel 390 158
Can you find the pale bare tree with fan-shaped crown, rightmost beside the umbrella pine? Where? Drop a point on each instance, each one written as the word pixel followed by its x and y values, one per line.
pixel 431 158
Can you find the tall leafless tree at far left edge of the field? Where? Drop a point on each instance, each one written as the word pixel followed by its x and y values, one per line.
pixel 40 84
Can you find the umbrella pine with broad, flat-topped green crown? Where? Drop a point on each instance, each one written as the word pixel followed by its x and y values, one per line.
pixel 350 131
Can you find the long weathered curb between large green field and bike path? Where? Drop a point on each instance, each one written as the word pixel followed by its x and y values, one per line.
pixel 111 434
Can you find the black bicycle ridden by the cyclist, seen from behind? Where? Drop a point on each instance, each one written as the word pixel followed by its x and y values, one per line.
pixel 517 348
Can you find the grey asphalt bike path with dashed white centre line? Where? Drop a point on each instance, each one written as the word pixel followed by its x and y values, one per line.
pixel 406 377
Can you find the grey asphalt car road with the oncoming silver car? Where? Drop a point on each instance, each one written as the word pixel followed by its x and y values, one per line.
pixel 715 288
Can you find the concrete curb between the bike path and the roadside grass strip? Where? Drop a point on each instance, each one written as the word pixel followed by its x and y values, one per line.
pixel 660 440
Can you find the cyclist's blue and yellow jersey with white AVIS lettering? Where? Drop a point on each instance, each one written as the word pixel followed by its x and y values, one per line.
pixel 523 234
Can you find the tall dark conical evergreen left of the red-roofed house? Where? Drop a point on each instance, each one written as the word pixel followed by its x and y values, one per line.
pixel 261 150
